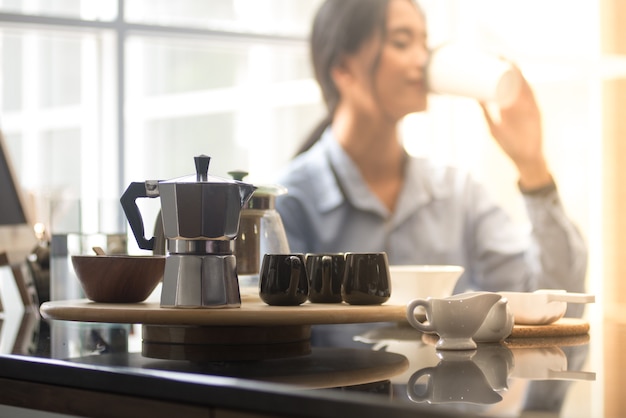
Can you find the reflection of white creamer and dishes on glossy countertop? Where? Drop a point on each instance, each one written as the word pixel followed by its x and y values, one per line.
pixel 515 376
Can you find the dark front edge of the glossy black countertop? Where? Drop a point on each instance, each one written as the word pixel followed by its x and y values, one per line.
pixel 192 389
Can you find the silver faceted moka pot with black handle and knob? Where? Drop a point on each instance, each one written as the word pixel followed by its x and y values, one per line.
pixel 200 221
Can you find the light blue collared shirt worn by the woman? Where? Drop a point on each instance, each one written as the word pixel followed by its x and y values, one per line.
pixel 442 217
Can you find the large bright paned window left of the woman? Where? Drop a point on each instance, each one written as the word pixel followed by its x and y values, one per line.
pixel 99 94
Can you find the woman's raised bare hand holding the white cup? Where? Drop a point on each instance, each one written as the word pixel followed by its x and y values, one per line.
pixel 519 133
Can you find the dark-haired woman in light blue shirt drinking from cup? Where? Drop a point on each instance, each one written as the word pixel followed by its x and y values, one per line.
pixel 356 189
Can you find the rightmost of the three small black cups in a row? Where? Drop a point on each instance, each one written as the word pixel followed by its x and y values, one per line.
pixel 366 280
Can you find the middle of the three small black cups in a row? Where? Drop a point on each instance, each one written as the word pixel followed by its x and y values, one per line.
pixel 325 275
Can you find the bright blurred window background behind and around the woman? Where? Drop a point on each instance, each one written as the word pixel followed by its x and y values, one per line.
pixel 96 94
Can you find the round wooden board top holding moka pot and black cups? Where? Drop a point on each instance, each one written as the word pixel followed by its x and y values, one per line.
pixel 252 312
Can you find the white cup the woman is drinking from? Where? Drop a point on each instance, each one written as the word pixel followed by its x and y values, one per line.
pixel 469 72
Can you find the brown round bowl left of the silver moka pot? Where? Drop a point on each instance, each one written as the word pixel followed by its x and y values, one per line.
pixel 118 278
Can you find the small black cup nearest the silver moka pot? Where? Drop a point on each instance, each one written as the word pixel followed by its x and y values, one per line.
pixel 283 279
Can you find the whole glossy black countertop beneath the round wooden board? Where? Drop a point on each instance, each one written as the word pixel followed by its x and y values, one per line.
pixel 364 370
